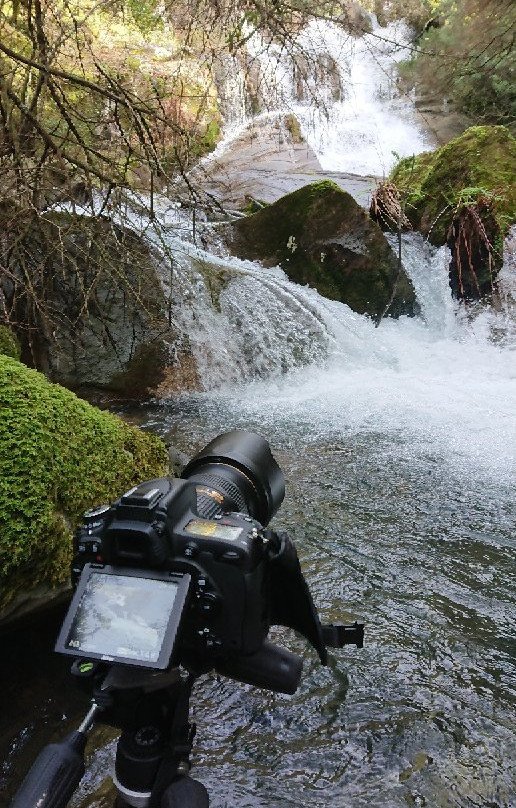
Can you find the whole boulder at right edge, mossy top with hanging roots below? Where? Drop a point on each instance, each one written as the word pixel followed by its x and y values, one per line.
pixel 464 195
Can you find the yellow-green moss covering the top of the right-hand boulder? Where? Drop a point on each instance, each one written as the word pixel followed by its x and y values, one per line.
pixel 433 185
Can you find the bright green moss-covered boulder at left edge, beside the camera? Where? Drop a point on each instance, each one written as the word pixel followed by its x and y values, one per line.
pixel 58 457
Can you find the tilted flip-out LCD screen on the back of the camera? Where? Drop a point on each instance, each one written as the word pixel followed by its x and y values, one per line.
pixel 129 616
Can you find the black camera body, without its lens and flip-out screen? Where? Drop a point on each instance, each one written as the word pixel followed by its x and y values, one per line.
pixel 181 526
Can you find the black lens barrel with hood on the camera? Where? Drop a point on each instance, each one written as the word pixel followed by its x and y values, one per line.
pixel 241 467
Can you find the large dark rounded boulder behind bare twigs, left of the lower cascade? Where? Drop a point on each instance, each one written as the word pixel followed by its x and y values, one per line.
pixel 90 306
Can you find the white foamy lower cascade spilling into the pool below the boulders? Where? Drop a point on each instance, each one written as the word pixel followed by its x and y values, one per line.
pixel 278 353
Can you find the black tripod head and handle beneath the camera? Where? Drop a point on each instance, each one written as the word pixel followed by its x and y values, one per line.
pixel 153 752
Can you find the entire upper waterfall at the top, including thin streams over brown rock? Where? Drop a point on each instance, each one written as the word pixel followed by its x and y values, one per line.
pixel 343 91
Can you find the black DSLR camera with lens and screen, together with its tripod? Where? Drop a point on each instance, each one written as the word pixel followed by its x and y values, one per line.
pixel 176 578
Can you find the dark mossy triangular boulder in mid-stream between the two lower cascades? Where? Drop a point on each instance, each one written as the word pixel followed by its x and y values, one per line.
pixel 321 237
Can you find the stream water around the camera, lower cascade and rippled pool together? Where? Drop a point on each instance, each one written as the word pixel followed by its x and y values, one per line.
pixel 398 444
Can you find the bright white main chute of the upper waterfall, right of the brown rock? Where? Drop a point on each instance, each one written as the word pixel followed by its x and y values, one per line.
pixel 363 131
